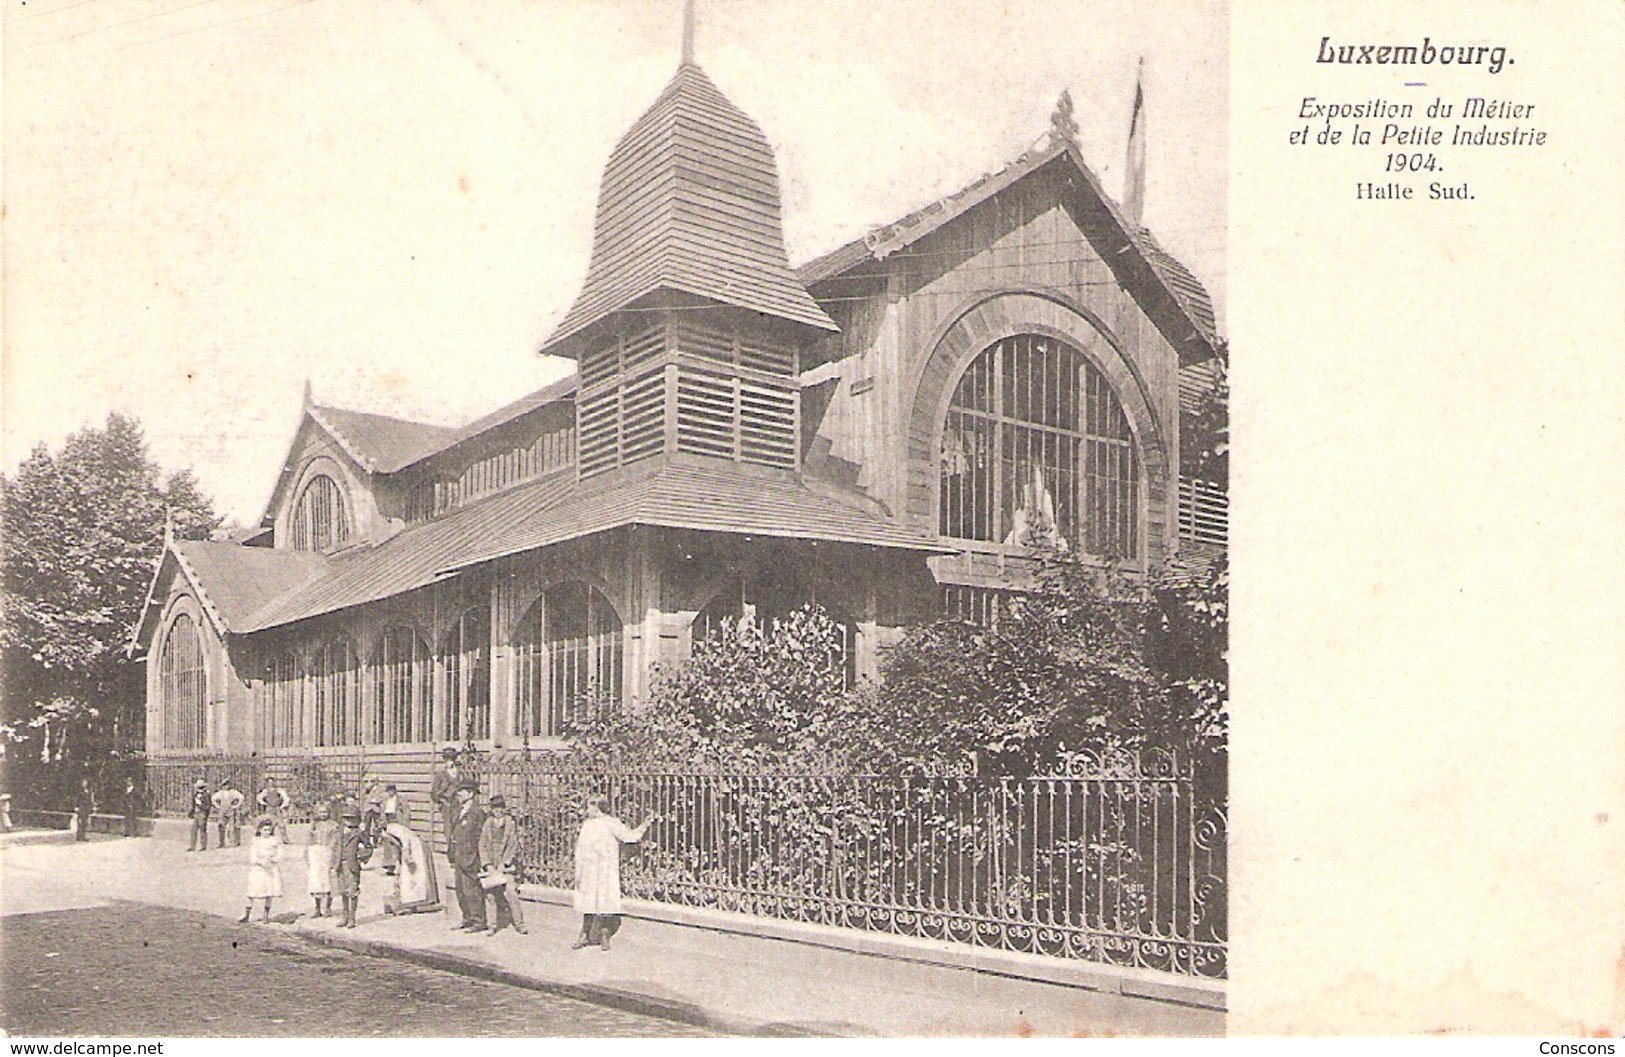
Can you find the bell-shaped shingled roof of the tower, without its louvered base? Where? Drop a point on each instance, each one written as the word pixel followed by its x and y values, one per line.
pixel 690 204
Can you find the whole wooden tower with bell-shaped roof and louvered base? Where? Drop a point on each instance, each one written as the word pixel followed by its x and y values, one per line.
pixel 690 323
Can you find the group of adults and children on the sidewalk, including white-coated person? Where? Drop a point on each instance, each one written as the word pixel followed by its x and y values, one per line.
pixel 482 846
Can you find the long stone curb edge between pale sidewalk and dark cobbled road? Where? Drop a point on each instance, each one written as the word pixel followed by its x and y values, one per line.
pixel 613 998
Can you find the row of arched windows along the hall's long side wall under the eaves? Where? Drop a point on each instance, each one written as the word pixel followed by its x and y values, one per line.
pixel 568 651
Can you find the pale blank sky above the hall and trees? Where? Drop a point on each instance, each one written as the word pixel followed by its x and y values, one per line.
pixel 209 202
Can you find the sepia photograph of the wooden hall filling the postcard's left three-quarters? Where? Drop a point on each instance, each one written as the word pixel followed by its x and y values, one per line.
pixel 617 520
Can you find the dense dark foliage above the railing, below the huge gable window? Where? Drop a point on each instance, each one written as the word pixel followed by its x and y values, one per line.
pixel 1086 661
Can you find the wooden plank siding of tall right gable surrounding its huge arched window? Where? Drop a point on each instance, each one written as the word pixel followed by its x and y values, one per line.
pixel 1013 263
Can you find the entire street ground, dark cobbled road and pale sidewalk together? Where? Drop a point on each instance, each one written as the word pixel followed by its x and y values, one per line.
pixel 136 937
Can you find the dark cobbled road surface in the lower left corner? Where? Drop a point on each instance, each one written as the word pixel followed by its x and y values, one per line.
pixel 134 970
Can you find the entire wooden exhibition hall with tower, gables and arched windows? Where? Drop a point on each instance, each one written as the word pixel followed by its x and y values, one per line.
pixel 885 432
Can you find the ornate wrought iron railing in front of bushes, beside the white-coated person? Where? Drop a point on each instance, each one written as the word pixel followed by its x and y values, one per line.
pixel 1117 859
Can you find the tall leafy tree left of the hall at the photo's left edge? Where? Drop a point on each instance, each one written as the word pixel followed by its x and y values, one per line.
pixel 84 533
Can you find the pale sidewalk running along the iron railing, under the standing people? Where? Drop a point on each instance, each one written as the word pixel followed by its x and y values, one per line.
pixel 722 981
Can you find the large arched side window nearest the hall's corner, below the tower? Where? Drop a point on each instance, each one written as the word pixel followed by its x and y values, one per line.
pixel 566 648
